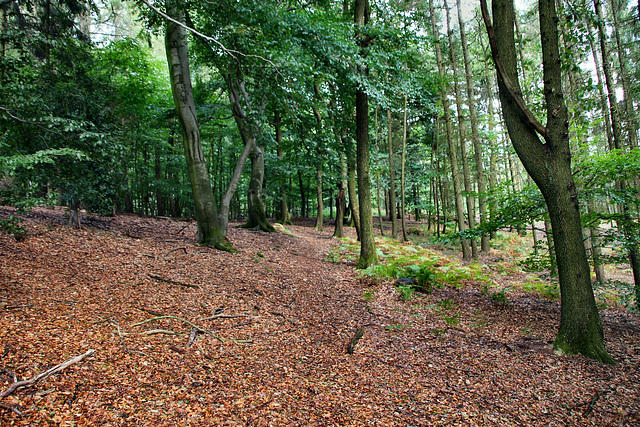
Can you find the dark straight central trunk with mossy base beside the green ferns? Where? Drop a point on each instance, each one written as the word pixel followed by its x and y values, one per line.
pixel 368 255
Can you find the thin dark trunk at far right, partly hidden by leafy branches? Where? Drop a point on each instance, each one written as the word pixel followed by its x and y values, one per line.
pixel 624 225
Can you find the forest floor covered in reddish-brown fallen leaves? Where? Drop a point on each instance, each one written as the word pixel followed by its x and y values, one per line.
pixel 259 338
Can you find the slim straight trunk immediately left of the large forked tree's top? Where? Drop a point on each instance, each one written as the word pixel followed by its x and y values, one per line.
pixel 475 134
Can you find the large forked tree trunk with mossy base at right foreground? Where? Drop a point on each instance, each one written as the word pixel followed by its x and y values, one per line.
pixel 548 161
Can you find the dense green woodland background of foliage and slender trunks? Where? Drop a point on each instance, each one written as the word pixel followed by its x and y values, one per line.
pixel 87 118
